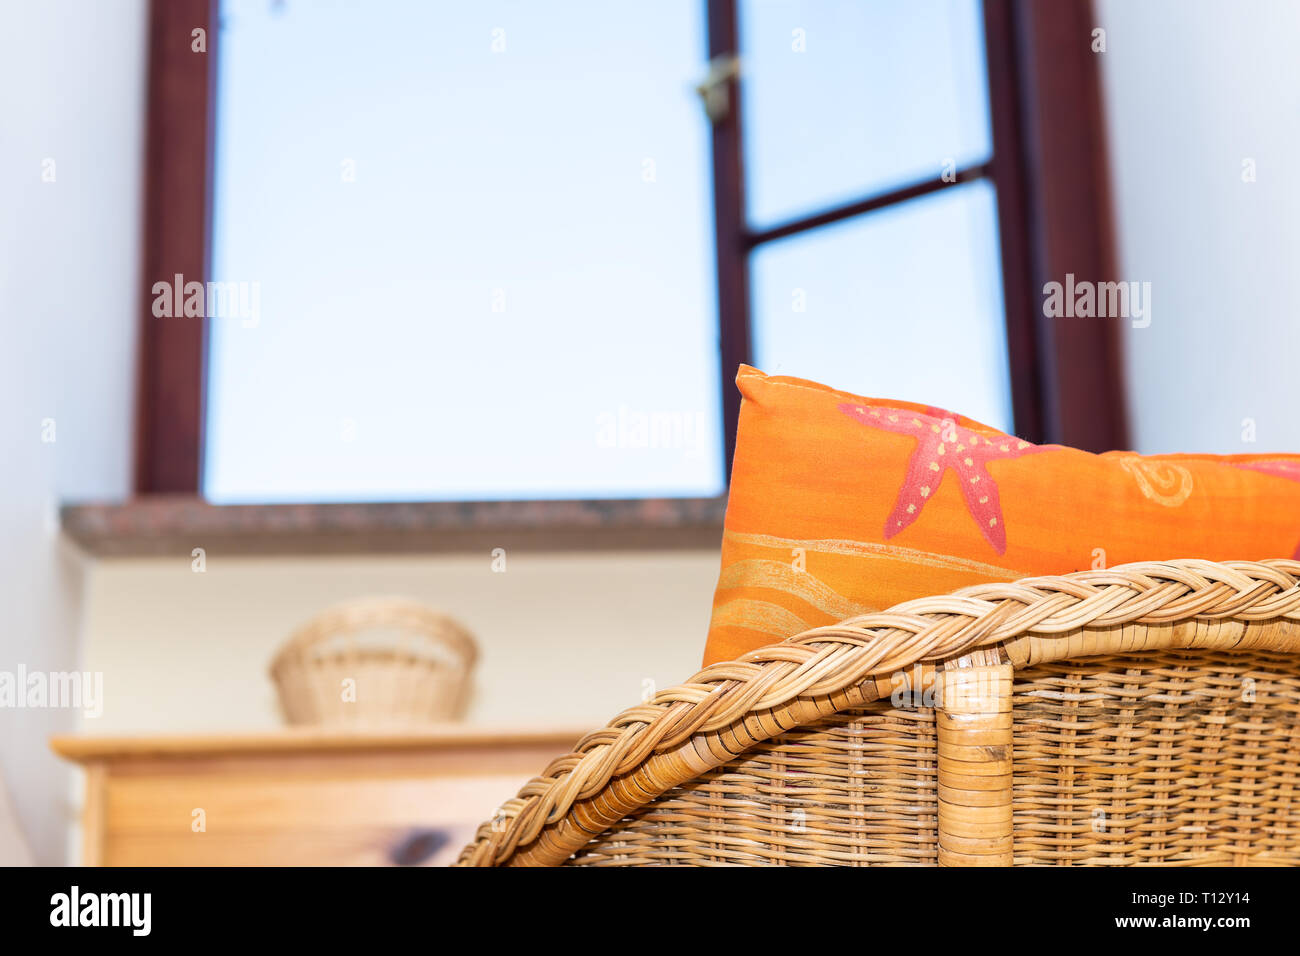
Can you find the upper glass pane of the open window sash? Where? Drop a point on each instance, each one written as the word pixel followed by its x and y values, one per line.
pixel 848 100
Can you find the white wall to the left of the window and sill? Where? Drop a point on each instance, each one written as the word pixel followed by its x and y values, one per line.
pixel 72 88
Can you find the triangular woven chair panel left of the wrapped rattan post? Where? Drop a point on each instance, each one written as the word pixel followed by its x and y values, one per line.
pixel 855 790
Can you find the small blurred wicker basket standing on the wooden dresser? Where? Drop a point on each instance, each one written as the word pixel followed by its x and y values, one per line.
pixel 375 661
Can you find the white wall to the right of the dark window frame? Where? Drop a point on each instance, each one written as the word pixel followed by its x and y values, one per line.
pixel 1194 88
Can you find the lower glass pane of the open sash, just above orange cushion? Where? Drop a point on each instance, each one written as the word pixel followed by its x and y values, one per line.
pixel 904 304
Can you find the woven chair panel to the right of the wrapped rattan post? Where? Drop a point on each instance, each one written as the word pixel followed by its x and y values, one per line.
pixel 1180 758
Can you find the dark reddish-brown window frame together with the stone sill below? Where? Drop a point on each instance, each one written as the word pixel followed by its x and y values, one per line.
pixel 1048 168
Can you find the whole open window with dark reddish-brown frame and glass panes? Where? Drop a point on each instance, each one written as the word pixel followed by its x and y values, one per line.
pixel 499 253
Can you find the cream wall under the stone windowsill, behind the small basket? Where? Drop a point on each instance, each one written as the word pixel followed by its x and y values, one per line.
pixel 565 639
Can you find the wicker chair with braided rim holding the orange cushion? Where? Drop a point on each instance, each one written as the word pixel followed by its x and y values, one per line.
pixel 1143 715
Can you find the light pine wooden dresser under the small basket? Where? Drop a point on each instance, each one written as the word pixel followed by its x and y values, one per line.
pixel 300 797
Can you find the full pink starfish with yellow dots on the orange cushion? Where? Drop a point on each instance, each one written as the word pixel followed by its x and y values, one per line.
pixel 943 445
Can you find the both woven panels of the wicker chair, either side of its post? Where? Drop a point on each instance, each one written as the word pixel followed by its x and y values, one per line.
pixel 1158 758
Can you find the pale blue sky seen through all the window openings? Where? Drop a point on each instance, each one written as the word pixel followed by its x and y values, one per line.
pixel 482 240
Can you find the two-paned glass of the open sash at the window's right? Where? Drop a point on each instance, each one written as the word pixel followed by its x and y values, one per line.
pixel 851 102
